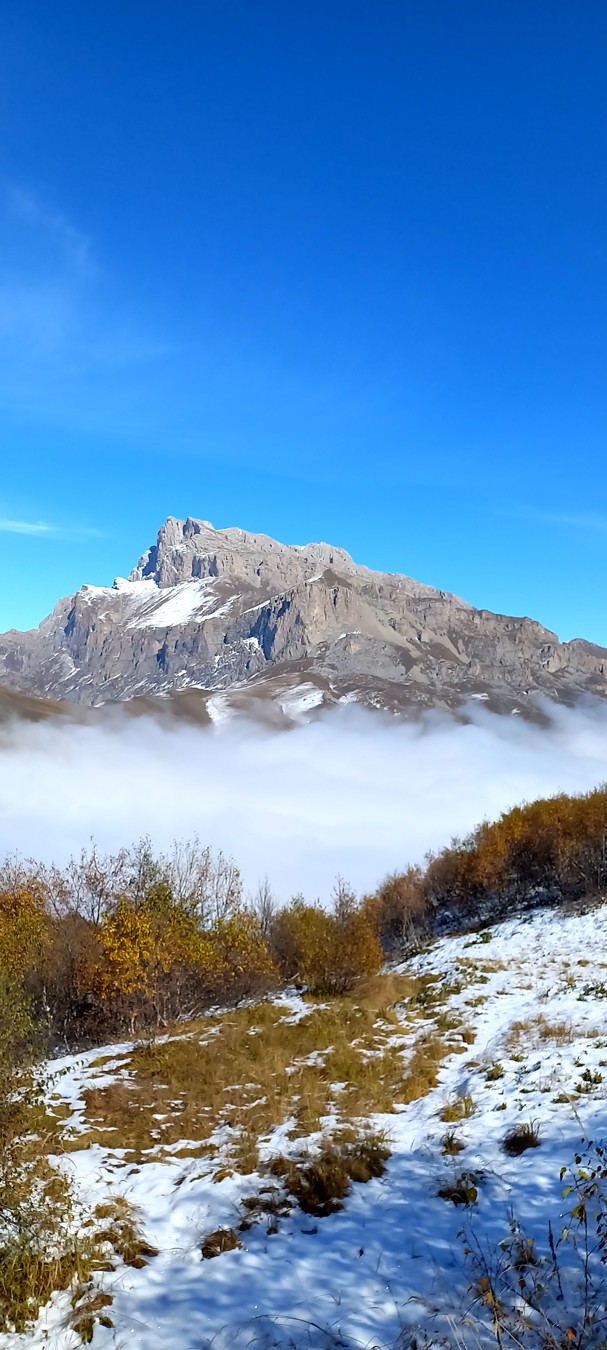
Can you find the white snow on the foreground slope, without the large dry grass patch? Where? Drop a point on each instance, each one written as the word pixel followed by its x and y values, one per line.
pixel 532 996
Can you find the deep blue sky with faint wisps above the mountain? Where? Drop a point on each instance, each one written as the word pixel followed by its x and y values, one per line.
pixel 327 269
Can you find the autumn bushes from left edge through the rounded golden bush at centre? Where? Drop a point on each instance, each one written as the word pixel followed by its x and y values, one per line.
pixel 136 942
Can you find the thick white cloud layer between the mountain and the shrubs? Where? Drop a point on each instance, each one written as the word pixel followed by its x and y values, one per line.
pixel 355 793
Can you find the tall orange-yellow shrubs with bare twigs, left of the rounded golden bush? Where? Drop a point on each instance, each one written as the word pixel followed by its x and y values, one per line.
pixel 133 940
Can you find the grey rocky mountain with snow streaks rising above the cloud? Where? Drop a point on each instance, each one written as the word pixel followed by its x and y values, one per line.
pixel 252 623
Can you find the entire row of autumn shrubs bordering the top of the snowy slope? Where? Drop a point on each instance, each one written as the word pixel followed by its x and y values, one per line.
pixel 136 940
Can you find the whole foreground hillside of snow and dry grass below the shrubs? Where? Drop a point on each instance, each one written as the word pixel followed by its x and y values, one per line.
pixel 442 1059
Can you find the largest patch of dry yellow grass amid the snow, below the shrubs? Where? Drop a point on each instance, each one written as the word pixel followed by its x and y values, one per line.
pixel 257 1069
